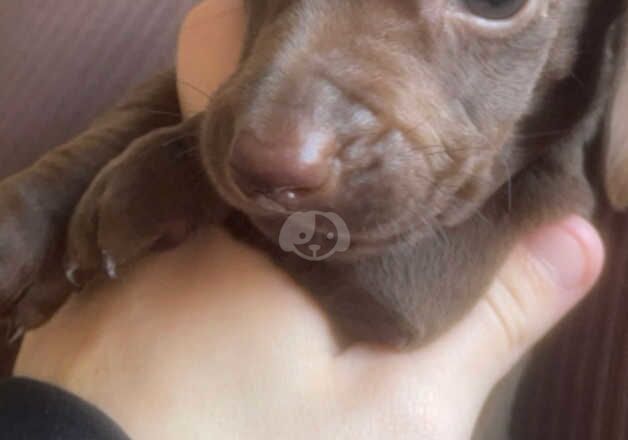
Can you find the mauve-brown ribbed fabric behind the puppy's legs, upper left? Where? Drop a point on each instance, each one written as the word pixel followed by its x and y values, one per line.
pixel 64 61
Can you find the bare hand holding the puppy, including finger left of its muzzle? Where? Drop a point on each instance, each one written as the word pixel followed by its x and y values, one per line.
pixel 212 341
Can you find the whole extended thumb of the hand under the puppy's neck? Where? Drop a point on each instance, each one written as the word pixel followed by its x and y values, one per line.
pixel 546 275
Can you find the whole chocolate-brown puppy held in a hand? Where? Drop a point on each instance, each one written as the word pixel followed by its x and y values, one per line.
pixel 437 131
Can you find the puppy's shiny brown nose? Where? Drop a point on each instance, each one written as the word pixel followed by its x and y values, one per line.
pixel 283 164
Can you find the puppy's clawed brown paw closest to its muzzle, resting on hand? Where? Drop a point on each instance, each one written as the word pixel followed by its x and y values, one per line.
pixel 153 196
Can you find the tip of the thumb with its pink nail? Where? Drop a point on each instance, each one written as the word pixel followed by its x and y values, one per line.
pixel 569 251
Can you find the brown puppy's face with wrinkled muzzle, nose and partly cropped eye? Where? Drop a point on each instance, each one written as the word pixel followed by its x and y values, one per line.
pixel 399 115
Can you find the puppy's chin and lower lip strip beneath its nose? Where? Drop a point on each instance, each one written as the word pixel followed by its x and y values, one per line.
pixel 374 225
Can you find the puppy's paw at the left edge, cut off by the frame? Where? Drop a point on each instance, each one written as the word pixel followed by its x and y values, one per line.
pixel 32 285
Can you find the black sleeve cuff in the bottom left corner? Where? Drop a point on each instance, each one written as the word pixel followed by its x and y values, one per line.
pixel 31 410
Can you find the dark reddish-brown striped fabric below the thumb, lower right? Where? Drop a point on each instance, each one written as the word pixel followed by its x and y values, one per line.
pixel 577 386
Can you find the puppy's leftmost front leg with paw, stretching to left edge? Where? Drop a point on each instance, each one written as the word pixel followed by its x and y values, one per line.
pixel 36 204
